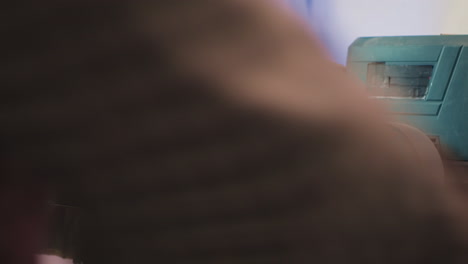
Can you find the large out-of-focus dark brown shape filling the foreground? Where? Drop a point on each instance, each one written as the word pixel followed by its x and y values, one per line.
pixel 213 131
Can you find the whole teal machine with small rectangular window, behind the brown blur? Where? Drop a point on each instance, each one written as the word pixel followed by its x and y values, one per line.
pixel 424 82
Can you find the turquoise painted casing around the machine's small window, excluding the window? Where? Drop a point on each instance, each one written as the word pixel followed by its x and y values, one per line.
pixel 443 111
